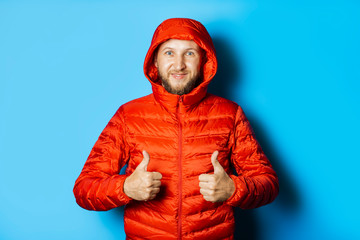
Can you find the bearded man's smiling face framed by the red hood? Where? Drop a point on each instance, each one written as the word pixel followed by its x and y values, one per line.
pixel 179 65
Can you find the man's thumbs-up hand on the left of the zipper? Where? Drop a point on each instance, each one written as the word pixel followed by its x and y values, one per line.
pixel 142 185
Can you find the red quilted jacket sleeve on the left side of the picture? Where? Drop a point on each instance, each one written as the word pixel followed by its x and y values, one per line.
pixel 99 186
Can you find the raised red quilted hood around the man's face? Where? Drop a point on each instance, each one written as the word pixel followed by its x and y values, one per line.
pixel 183 29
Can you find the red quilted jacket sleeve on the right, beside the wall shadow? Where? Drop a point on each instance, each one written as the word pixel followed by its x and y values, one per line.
pixel 256 183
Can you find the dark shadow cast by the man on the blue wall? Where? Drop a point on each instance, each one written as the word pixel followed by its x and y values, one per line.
pixel 230 70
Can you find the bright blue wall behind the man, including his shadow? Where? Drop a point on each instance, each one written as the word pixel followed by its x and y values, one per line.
pixel 66 66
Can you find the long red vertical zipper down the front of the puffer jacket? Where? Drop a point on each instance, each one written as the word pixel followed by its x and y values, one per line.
pixel 180 170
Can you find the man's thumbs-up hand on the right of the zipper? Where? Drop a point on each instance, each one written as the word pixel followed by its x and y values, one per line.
pixel 217 187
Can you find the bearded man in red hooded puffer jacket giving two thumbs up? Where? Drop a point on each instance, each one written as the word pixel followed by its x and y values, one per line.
pixel 180 144
